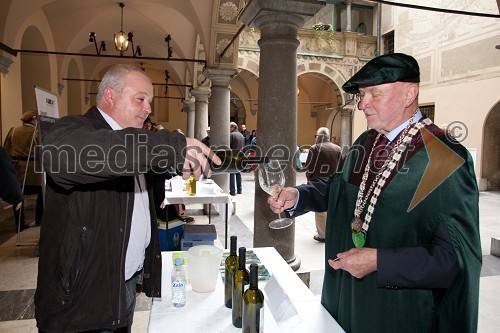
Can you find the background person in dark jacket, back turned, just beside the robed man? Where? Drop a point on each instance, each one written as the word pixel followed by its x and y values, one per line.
pixel 322 161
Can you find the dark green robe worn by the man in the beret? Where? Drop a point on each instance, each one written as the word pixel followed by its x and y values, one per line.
pixel 359 305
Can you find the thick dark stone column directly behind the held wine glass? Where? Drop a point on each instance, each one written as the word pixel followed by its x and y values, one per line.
pixel 278 22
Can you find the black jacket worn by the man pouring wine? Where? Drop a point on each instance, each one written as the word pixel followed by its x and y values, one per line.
pixel 87 220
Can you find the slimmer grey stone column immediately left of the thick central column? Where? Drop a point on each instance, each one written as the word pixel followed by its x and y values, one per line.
pixel 219 116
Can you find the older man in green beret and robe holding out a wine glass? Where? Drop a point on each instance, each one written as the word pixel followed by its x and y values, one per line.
pixel 403 248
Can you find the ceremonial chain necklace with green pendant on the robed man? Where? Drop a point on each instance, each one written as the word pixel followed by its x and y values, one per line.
pixel 359 228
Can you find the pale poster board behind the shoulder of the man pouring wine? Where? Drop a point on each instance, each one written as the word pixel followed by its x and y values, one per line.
pixel 48 110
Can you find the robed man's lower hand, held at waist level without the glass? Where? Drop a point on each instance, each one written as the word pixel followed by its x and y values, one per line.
pixel 358 262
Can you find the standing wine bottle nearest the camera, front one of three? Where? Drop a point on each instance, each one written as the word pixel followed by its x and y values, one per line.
pixel 253 304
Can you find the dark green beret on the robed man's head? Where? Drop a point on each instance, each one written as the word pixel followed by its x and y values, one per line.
pixel 386 68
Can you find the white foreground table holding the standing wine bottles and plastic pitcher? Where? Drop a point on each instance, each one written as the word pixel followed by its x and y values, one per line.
pixel 206 312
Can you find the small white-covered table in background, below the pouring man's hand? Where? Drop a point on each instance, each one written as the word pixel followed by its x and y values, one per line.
pixel 207 193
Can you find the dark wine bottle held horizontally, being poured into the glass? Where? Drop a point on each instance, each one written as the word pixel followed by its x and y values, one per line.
pixel 234 160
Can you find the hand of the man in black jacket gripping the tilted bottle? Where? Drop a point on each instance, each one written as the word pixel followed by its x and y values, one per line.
pixel 196 159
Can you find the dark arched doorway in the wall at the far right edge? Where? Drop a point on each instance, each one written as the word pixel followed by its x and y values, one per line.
pixel 491 149
